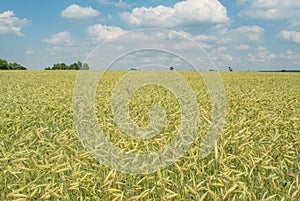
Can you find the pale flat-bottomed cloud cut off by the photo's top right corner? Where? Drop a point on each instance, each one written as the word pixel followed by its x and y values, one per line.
pixel 272 9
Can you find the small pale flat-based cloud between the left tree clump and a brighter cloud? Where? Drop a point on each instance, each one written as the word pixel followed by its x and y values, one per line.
pixel 61 38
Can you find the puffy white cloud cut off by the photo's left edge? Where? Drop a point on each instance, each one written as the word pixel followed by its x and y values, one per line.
pixel 10 24
